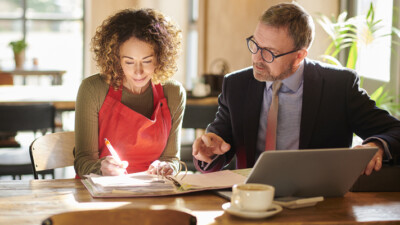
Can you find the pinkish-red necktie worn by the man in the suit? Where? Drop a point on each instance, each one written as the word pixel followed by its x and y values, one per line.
pixel 272 119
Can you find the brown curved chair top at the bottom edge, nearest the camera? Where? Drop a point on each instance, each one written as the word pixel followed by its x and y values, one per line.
pixel 123 216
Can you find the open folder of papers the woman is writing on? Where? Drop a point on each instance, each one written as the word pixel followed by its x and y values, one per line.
pixel 143 184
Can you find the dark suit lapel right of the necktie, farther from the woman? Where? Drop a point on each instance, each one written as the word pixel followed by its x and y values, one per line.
pixel 312 93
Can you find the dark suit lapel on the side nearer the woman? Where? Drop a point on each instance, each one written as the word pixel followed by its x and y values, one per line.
pixel 252 117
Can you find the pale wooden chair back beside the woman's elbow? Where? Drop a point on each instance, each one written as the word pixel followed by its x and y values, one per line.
pixel 52 151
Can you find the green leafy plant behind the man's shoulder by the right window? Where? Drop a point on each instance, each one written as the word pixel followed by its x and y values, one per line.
pixel 345 34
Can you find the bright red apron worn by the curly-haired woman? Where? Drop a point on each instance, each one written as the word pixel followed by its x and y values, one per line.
pixel 136 139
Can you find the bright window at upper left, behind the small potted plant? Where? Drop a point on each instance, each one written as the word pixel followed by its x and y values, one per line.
pixel 53 30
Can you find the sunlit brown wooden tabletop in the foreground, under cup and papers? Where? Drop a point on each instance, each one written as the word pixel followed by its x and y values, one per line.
pixel 29 202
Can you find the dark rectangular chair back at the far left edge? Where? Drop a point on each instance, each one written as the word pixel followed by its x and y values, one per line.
pixel 27 117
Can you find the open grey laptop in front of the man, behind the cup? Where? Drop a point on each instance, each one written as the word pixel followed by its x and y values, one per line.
pixel 310 173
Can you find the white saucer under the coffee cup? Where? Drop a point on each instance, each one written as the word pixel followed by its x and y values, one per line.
pixel 273 209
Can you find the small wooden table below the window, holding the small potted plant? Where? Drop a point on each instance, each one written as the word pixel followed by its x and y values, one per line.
pixel 56 74
